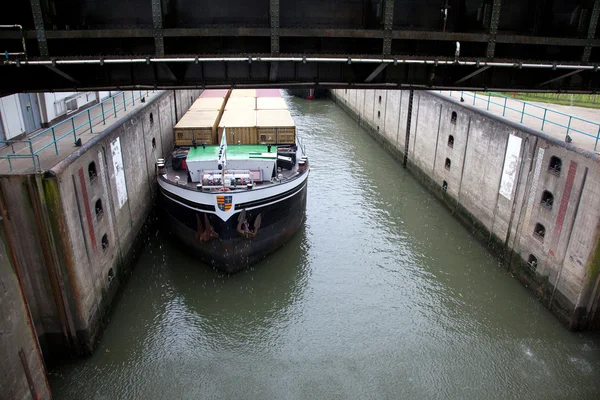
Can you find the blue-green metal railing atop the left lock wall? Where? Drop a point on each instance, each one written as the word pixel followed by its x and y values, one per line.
pixel 77 124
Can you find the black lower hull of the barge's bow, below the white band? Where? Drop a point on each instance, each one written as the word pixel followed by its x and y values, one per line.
pixel 230 252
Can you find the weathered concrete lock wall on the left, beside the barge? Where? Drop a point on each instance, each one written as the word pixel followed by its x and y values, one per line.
pixel 76 228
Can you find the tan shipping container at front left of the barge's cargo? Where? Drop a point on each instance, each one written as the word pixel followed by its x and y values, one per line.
pixel 200 125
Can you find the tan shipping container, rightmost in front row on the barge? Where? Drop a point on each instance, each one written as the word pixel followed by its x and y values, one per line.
pixel 275 126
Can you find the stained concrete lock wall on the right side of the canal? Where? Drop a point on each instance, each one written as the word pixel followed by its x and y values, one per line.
pixel 492 175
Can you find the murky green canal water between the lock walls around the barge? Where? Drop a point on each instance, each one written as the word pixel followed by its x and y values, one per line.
pixel 382 294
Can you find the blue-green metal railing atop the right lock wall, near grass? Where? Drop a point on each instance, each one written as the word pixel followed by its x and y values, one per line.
pixel 549 116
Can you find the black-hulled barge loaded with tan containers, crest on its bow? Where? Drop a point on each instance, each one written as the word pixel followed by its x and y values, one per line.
pixel 234 188
